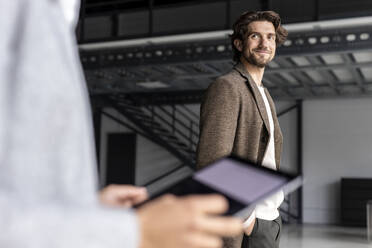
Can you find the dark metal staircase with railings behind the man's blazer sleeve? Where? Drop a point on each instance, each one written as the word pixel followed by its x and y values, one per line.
pixel 173 127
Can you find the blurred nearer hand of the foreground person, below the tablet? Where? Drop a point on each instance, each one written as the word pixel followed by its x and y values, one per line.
pixel 186 222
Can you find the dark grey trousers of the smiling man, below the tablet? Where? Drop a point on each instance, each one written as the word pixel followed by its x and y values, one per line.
pixel 265 234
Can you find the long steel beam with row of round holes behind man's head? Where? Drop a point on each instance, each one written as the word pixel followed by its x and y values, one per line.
pixel 300 43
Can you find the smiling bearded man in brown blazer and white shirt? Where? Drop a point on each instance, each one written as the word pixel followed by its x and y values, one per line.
pixel 238 117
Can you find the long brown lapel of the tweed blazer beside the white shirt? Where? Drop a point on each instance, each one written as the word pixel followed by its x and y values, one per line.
pixel 256 93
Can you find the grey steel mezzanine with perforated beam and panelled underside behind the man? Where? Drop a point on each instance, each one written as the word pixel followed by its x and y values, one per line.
pixel 320 59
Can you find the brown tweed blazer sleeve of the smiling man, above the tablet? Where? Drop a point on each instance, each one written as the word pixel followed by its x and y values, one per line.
pixel 218 121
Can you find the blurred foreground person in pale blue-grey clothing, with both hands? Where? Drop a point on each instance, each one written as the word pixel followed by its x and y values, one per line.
pixel 48 187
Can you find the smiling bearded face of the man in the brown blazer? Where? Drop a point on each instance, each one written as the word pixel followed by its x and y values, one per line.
pixel 259 47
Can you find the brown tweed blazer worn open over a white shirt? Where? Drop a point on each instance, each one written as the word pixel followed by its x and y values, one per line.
pixel 233 120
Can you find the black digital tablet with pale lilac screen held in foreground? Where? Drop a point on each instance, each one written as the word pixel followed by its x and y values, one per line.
pixel 244 184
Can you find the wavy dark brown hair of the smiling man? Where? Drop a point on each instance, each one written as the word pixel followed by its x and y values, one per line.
pixel 240 28
